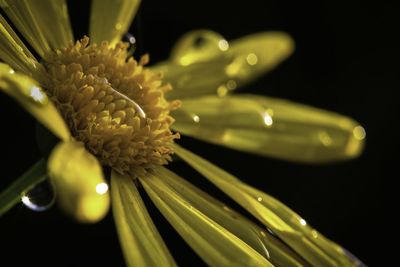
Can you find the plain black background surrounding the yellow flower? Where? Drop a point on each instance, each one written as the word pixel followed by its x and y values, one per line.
pixel 344 61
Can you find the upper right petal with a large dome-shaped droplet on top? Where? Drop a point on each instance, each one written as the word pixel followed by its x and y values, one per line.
pixel 203 62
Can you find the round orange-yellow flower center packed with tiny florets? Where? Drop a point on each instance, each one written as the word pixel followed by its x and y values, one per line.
pixel 113 104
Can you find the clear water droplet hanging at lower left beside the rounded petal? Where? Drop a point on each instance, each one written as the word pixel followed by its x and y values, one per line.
pixel 40 198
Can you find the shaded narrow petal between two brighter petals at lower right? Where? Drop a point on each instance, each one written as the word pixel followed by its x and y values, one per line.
pixel 258 238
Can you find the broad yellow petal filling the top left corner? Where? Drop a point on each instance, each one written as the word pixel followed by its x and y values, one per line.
pixel 44 23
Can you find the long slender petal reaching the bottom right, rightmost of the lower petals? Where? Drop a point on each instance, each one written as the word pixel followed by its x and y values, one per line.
pixel 285 223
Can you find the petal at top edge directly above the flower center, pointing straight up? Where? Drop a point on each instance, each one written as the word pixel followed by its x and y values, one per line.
pixel 109 20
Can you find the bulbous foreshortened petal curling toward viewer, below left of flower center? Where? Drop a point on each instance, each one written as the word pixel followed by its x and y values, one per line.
pixel 81 189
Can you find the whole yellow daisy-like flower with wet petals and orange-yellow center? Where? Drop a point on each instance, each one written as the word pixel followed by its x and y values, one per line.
pixel 109 110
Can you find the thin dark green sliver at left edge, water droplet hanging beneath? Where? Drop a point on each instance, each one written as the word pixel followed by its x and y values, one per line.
pixel 12 194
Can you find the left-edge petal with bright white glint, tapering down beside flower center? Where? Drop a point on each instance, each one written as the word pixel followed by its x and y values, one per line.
pixel 32 98
